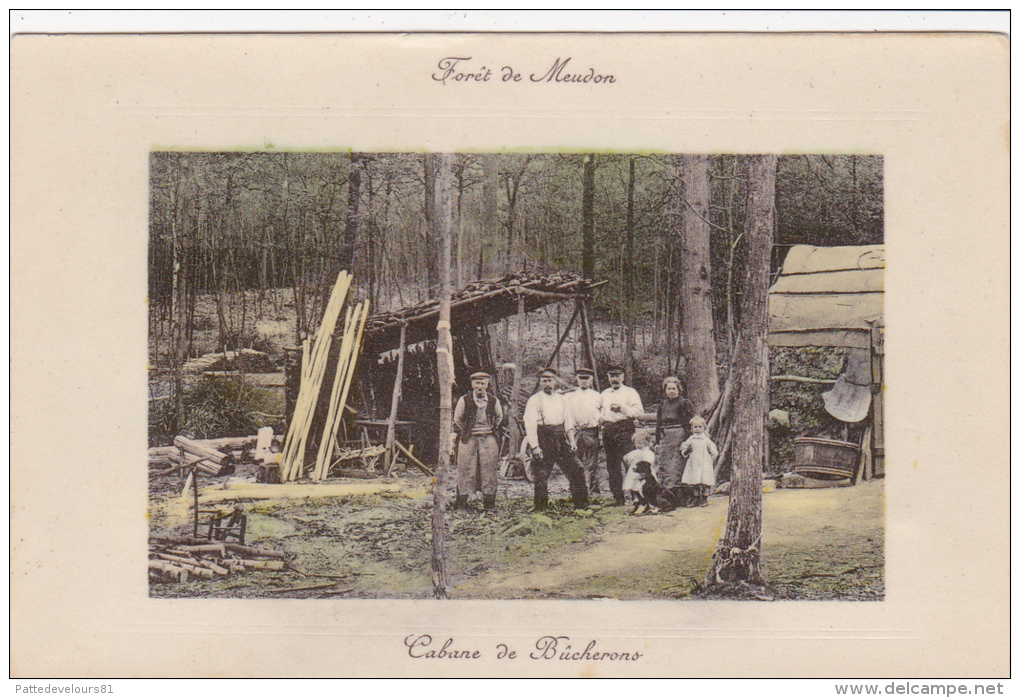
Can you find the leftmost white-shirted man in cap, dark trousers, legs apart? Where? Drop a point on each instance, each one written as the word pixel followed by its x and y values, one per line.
pixel 550 433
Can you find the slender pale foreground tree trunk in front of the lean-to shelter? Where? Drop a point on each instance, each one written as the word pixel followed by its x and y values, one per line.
pixel 444 357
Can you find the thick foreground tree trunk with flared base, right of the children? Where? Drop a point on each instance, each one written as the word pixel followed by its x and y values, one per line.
pixel 738 560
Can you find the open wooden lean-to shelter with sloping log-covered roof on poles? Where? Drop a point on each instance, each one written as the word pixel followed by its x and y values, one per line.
pixel 473 310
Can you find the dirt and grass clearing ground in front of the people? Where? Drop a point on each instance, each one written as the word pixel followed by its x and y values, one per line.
pixel 818 544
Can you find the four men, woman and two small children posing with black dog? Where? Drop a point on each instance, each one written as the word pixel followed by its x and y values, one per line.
pixel 563 430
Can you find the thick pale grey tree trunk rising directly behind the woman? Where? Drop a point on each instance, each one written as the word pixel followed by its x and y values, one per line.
pixel 696 283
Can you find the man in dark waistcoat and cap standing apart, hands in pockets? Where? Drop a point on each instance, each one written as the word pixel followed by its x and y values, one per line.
pixel 477 420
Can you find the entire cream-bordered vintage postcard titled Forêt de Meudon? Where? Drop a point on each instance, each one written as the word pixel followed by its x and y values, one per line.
pixel 567 356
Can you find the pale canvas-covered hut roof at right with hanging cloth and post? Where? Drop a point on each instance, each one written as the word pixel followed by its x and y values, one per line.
pixel 834 297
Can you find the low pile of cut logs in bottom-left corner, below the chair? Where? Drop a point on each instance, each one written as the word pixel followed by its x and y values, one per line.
pixel 184 559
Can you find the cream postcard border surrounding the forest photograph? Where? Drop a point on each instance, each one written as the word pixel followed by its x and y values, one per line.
pixel 87 111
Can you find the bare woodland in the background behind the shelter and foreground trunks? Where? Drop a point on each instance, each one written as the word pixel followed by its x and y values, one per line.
pixel 275 228
